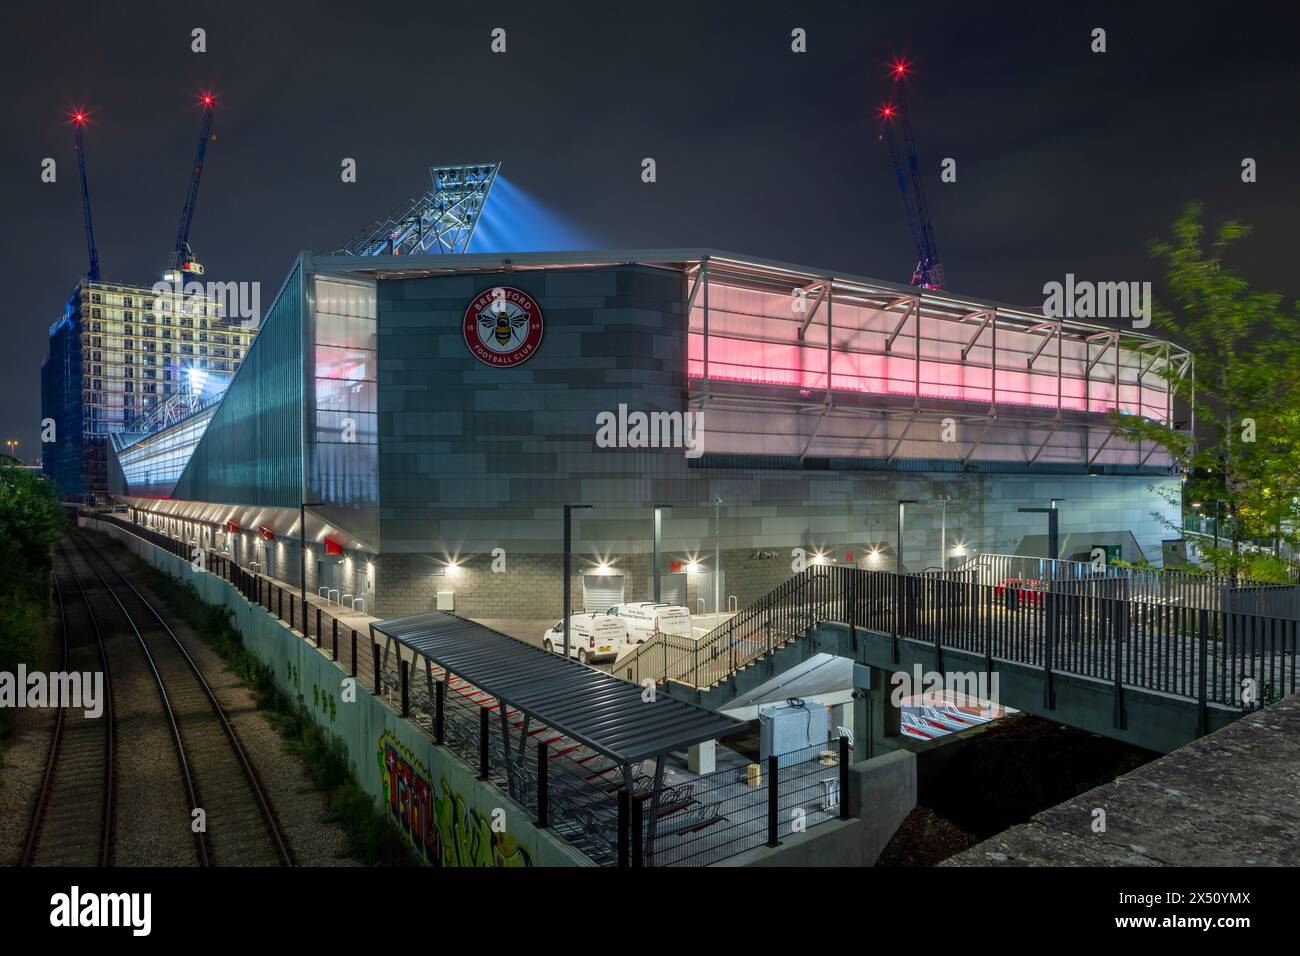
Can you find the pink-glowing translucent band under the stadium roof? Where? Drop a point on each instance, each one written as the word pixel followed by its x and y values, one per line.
pixel 757 338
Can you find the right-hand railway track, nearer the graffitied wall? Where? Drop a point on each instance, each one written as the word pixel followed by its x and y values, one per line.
pixel 222 785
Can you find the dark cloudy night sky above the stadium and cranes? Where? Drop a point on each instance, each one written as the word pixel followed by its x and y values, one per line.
pixel 1068 161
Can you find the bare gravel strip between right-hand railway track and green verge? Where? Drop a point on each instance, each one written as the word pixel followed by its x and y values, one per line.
pixel 298 804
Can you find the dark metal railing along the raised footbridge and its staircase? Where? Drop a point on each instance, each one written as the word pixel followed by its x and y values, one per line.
pixel 1227 656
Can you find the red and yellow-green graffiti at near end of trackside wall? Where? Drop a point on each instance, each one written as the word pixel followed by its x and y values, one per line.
pixel 443 829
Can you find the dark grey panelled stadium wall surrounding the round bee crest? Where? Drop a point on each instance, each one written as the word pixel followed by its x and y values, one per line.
pixel 580 370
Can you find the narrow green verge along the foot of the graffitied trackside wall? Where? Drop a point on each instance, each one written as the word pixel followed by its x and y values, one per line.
pixel 369 837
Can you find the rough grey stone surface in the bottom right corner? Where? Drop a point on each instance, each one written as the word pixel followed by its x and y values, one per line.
pixel 1225 801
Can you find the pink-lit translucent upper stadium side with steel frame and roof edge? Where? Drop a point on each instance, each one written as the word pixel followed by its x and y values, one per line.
pixel 796 365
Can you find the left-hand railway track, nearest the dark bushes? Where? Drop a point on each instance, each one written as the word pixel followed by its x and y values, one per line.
pixel 73 820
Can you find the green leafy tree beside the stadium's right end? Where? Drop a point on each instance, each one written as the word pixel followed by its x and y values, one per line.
pixel 1246 452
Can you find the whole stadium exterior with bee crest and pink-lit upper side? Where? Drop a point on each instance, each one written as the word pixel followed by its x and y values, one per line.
pixel 432 416
